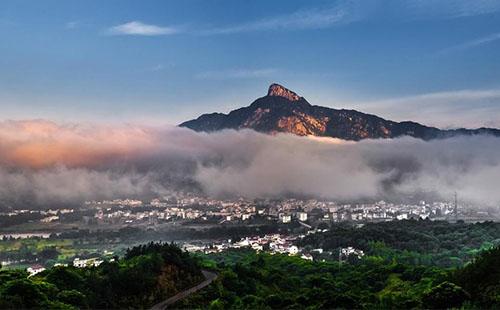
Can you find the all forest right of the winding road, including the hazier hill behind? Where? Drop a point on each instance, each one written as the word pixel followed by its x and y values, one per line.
pixel 407 264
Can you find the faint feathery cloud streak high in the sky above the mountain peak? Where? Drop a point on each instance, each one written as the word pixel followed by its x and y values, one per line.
pixel 315 18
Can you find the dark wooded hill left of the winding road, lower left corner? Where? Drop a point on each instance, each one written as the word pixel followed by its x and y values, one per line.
pixel 145 275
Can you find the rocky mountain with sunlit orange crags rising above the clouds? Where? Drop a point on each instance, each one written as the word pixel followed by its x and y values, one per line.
pixel 282 110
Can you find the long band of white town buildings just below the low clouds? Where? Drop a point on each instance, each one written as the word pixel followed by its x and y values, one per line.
pixel 285 211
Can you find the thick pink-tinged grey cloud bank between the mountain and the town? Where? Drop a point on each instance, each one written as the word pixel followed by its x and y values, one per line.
pixel 43 163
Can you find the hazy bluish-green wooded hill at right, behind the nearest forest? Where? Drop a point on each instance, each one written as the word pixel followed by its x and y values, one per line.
pixel 416 242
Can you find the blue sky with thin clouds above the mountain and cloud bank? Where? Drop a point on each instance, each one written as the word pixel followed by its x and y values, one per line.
pixel 437 62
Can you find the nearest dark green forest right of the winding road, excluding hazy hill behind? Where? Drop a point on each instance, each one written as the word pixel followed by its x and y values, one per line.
pixel 262 281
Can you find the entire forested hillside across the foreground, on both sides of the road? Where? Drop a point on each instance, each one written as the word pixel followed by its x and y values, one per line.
pixel 404 267
